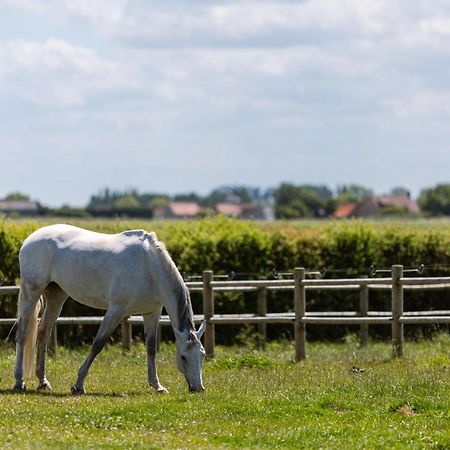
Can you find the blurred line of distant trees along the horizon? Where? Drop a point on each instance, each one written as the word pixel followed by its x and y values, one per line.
pixel 289 201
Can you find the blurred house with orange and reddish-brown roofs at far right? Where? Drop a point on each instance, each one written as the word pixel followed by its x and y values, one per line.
pixel 377 205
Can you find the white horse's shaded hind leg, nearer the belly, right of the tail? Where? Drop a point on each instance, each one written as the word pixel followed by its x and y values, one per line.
pixel 54 298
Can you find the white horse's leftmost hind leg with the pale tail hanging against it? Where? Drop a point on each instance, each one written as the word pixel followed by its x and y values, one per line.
pixel 27 318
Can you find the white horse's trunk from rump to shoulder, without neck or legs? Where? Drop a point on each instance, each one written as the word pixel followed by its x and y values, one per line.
pixel 85 264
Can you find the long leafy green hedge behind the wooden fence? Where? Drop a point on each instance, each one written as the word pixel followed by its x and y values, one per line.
pixel 251 249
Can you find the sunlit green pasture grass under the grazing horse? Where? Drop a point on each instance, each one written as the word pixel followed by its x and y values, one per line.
pixel 253 400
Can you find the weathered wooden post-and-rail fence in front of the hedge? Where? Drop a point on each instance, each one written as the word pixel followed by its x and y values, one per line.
pixel 300 317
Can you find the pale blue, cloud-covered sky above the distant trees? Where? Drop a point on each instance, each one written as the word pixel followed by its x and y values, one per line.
pixel 186 95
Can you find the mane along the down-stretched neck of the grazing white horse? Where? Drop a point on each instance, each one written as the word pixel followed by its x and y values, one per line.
pixel 184 306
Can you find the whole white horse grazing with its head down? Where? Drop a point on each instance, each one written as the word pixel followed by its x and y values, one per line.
pixel 125 273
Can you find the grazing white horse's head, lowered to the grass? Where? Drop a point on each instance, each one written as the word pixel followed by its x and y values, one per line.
pixel 190 356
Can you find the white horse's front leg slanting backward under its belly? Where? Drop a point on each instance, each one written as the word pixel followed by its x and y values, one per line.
pixel 109 323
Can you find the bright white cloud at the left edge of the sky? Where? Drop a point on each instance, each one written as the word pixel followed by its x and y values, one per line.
pixel 55 72
